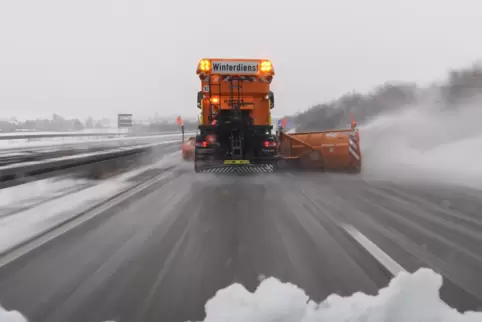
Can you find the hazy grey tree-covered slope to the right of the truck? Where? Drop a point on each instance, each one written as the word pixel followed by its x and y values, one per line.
pixel 461 87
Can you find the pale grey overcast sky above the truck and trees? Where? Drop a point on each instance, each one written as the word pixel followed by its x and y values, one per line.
pixel 102 57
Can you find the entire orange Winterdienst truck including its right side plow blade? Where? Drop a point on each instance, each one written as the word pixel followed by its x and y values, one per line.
pixel 235 131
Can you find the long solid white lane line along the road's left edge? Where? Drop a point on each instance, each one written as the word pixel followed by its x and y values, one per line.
pixel 72 223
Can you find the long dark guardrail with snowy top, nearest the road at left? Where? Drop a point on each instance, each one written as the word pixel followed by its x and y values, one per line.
pixel 16 174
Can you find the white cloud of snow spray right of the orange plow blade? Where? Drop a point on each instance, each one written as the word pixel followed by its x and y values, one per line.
pixel 426 140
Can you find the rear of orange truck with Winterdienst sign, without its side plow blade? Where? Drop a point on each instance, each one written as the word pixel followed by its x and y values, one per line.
pixel 235 130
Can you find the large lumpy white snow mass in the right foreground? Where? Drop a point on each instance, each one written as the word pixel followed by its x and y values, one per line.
pixel 408 297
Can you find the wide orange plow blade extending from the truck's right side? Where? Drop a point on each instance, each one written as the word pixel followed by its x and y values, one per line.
pixel 337 150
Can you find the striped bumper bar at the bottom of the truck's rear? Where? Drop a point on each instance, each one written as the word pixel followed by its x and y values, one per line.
pixel 240 167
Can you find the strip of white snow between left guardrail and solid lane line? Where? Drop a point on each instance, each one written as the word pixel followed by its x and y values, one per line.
pixel 23 225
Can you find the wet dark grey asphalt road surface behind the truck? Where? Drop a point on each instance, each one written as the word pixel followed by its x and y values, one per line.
pixel 161 256
